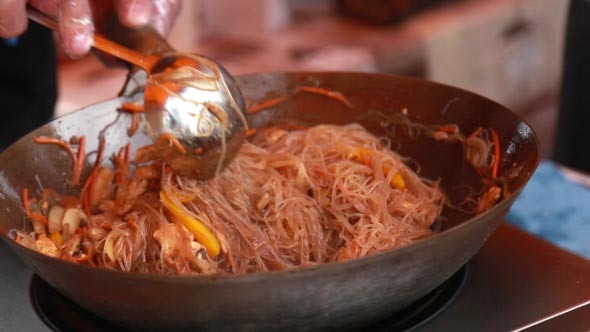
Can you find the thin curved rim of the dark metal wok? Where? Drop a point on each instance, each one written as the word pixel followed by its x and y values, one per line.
pixel 299 271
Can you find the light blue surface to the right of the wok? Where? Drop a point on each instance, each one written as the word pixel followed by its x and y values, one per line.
pixel 555 209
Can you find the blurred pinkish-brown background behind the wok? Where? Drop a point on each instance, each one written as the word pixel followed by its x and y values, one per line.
pixel 507 50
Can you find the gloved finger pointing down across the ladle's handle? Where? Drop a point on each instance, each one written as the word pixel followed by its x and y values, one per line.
pixel 75 26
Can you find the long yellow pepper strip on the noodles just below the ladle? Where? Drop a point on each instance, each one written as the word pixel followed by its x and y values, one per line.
pixel 202 234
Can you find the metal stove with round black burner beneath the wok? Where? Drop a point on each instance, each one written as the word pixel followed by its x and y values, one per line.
pixel 516 282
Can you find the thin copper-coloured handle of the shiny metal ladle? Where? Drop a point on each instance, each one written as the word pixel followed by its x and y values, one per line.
pixel 146 62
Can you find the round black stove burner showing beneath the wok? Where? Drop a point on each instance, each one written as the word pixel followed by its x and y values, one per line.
pixel 61 314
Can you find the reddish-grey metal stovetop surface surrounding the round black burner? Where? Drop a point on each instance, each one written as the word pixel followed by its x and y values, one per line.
pixel 517 281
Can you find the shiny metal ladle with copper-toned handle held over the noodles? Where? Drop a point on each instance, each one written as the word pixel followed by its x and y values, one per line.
pixel 193 106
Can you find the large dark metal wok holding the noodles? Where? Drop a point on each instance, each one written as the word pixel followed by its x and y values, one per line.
pixel 335 296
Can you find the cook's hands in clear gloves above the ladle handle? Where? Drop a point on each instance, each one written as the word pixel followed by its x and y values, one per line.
pixel 75 25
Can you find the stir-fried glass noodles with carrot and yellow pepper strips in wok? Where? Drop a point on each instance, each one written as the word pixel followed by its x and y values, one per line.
pixel 293 196
